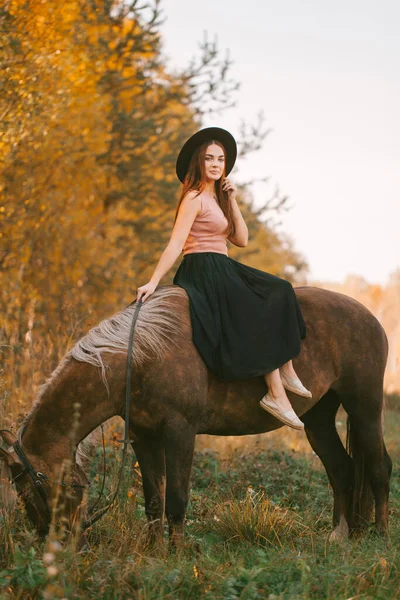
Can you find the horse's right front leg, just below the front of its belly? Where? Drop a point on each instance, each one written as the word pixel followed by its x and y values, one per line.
pixel 179 442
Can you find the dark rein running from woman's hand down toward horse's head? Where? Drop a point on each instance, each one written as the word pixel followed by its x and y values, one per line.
pixel 126 439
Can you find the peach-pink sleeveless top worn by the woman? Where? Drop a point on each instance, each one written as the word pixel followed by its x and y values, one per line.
pixel 209 231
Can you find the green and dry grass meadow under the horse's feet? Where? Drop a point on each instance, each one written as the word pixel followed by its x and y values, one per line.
pixel 257 527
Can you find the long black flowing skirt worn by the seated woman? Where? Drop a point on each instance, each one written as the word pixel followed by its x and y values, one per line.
pixel 245 322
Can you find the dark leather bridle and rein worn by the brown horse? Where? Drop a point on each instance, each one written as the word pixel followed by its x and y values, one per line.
pixel 38 477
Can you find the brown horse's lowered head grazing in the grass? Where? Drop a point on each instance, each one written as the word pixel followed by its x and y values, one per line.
pixel 39 487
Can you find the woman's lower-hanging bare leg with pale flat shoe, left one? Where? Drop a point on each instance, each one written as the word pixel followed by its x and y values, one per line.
pixel 277 403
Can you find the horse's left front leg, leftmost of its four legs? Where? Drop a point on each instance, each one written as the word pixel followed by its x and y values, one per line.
pixel 151 458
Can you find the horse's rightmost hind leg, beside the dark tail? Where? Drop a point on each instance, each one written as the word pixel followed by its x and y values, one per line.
pixel 369 453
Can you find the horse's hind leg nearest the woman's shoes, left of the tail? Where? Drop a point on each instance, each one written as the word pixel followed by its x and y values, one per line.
pixel 322 434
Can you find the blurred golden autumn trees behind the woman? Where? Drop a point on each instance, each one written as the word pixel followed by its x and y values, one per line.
pixel 92 124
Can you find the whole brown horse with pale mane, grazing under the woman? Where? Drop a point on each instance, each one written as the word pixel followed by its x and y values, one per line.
pixel 174 397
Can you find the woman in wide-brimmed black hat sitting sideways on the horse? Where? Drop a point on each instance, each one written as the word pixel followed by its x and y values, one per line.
pixel 245 322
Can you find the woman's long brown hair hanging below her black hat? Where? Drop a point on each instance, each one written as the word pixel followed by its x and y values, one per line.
pixel 196 180
